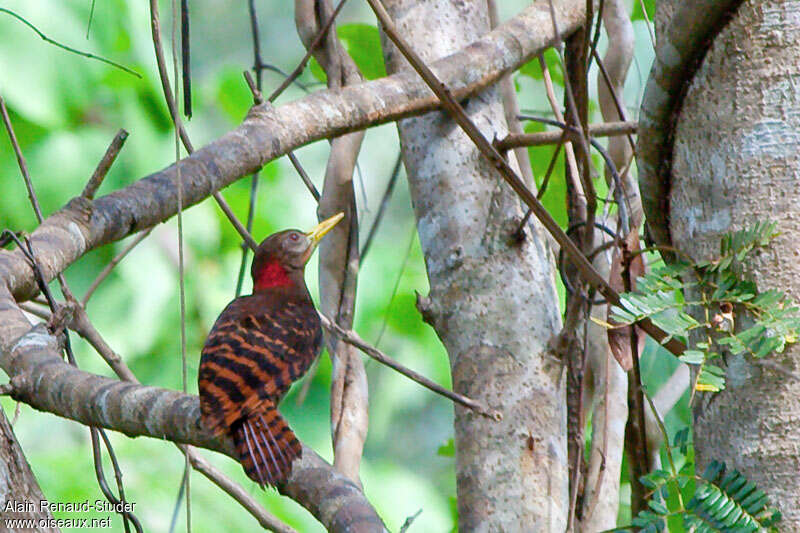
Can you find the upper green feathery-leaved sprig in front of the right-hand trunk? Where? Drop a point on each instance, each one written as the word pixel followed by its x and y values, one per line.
pixel 713 308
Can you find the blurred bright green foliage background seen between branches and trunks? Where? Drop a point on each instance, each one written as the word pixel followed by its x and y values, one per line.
pixel 66 109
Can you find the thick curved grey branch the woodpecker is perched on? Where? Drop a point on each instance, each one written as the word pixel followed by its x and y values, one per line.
pixel 43 380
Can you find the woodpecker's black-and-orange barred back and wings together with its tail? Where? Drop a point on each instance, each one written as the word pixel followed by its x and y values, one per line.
pixel 256 349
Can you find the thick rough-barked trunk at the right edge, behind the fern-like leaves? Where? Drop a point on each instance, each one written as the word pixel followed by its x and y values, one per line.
pixel 736 162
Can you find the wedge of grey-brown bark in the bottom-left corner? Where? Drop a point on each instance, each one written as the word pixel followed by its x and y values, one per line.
pixel 18 485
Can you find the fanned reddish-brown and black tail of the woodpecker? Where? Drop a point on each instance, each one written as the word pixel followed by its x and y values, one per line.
pixel 266 445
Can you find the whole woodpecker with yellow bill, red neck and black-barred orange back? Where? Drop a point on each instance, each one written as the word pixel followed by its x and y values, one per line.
pixel 261 344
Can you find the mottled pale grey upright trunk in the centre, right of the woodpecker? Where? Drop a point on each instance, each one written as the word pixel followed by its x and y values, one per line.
pixel 492 303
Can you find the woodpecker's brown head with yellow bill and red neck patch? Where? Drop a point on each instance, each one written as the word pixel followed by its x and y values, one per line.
pixel 281 258
